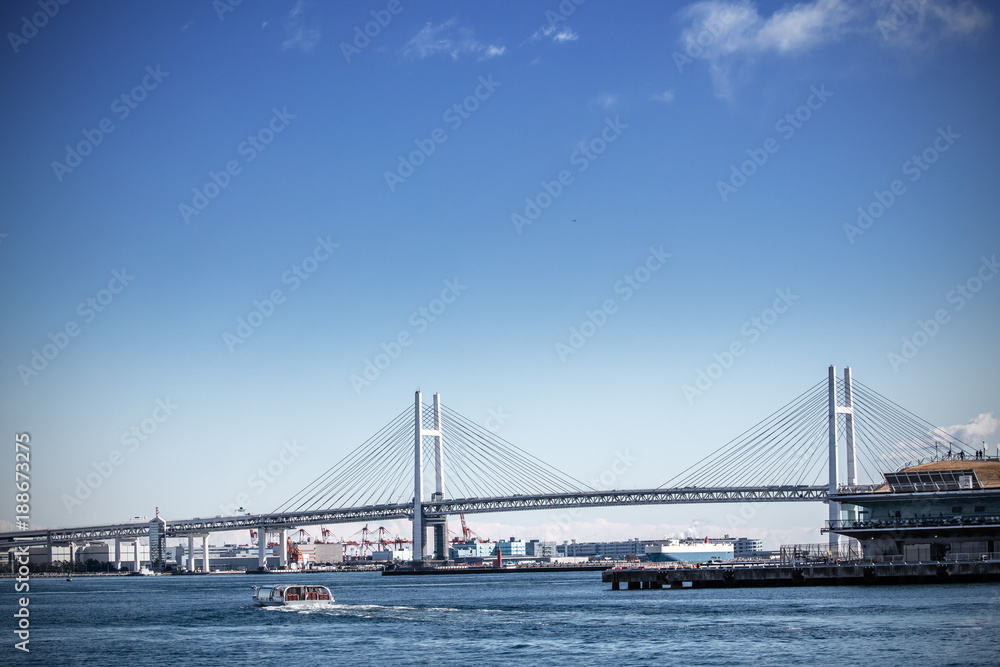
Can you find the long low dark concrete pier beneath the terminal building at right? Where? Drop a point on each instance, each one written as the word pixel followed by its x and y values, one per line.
pixel 762 576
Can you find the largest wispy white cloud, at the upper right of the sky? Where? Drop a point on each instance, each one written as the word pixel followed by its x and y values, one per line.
pixel 730 35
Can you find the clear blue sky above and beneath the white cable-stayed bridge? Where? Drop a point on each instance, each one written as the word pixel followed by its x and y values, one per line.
pixel 525 161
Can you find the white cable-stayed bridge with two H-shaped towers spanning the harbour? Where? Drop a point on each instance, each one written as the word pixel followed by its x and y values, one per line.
pixel 792 455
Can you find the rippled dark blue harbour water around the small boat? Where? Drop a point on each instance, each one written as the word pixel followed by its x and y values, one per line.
pixel 476 619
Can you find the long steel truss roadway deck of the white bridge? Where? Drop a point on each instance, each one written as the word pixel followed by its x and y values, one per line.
pixel 183 528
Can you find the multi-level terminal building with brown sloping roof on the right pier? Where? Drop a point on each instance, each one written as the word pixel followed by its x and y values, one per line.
pixel 942 510
